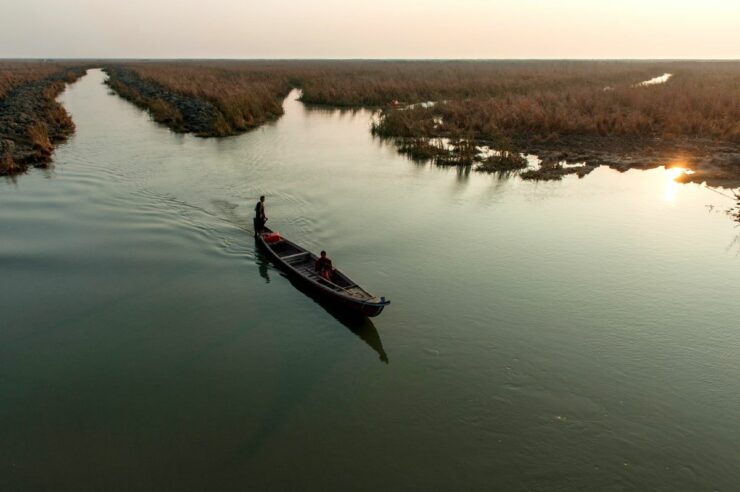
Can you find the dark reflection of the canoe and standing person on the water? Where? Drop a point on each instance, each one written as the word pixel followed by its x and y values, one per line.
pixel 357 323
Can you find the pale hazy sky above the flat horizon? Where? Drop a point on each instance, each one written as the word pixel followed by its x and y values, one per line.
pixel 371 28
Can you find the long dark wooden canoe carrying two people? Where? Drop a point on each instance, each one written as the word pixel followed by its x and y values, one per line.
pixel 301 264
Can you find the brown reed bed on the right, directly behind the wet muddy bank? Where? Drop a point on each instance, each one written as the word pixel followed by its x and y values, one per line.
pixel 700 100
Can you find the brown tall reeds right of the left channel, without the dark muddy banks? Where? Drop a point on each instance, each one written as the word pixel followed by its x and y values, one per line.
pixel 541 100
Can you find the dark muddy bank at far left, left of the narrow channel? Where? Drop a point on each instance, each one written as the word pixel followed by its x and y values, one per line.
pixel 32 122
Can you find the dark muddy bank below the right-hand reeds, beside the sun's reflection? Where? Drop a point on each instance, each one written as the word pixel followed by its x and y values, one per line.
pixel 713 162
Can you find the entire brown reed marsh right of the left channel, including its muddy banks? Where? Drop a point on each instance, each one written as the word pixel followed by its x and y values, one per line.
pixel 539 107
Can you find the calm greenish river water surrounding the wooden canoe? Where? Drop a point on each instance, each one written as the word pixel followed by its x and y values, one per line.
pixel 579 335
